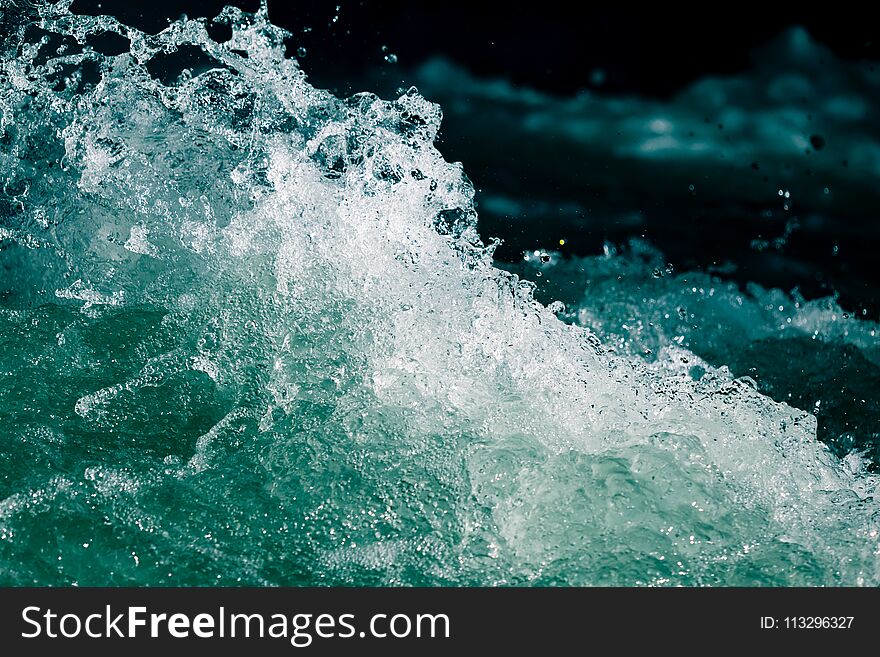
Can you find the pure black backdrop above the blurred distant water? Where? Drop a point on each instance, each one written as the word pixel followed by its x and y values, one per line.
pixel 651 50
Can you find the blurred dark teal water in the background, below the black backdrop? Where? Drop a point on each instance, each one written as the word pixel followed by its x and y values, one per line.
pixel 771 172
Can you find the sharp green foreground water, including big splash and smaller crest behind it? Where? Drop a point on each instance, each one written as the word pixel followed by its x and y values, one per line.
pixel 249 334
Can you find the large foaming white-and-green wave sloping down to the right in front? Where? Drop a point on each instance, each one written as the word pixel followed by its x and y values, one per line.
pixel 406 408
